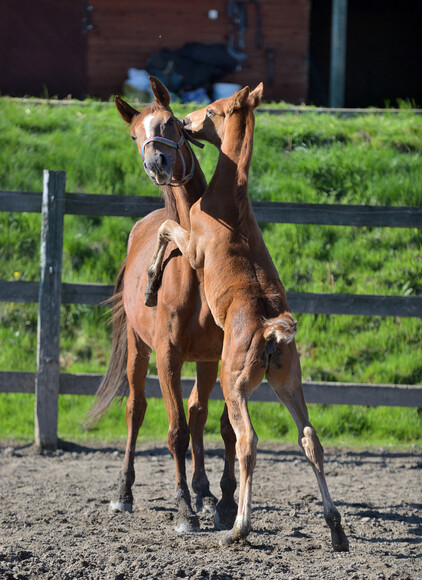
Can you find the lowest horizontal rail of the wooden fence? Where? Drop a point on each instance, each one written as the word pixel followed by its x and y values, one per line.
pixel 315 392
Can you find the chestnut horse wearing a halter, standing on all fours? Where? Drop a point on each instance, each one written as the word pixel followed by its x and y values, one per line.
pixel 180 328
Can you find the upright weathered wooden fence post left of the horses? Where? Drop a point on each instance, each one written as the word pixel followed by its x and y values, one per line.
pixel 47 378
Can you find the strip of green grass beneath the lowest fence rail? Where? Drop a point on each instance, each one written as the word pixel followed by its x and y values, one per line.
pixel 336 425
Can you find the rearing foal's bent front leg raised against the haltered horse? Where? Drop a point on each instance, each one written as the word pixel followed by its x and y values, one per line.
pixel 168 231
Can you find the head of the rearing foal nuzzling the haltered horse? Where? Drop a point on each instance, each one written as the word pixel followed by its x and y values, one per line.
pixel 209 124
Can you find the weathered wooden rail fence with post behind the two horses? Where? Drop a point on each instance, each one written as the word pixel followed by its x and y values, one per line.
pixel 50 292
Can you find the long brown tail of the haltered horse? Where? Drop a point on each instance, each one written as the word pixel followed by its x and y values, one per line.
pixel 114 381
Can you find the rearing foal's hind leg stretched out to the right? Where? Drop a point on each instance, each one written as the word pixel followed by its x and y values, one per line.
pixel 284 377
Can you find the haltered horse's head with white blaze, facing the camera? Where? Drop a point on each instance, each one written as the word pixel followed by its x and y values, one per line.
pixel 156 132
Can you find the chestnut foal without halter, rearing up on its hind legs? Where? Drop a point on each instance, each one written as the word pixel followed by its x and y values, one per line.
pixel 246 297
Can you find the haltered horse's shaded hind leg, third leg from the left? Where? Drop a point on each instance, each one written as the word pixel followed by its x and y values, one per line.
pixel 206 375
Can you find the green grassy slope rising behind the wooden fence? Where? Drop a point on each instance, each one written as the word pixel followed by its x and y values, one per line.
pixel 314 158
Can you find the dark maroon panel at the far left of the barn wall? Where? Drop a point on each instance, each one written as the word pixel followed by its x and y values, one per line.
pixel 42 48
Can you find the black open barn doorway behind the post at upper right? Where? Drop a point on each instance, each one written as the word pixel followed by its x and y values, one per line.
pixel 384 52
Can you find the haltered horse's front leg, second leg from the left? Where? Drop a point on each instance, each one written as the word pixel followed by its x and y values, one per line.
pixel 169 366
